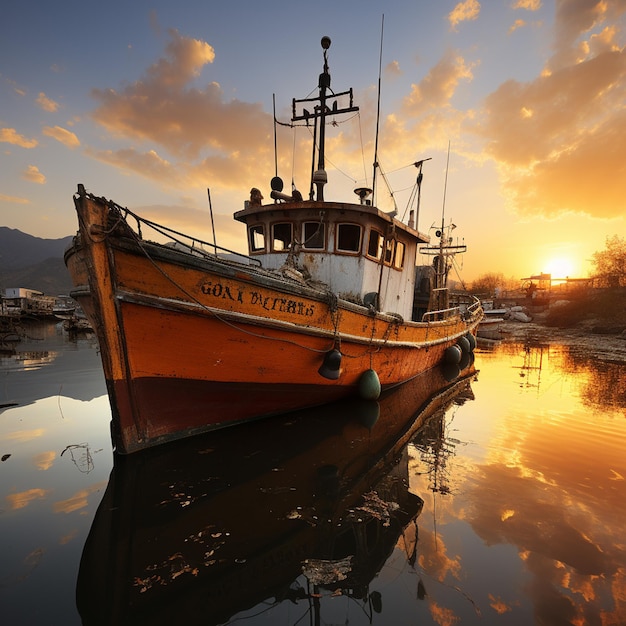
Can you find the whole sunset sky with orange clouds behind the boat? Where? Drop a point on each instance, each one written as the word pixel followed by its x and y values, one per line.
pixel 151 103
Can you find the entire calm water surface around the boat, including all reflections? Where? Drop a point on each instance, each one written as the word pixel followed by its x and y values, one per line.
pixel 507 507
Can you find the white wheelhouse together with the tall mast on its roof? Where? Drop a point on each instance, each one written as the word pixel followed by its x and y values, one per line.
pixel 358 252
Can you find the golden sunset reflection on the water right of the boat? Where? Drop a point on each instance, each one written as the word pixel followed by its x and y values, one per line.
pixel 543 472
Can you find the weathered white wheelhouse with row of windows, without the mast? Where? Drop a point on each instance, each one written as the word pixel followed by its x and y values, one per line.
pixel 361 254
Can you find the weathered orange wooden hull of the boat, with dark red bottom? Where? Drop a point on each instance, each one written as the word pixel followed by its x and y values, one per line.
pixel 193 343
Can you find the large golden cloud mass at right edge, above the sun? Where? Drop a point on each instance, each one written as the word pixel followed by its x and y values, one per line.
pixel 558 139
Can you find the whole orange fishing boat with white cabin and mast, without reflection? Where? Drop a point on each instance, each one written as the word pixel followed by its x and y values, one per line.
pixel 323 306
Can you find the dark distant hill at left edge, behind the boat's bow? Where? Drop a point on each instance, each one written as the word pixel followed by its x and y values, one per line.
pixel 33 263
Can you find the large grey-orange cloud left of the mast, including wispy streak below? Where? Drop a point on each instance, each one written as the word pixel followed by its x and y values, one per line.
pixel 192 135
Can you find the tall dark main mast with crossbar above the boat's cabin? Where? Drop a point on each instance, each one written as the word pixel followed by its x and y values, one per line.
pixel 320 111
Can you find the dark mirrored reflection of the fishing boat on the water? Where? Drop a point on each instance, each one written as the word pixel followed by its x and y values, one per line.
pixel 285 509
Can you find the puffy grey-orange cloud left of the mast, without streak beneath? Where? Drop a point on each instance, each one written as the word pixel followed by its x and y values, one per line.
pixel 163 108
